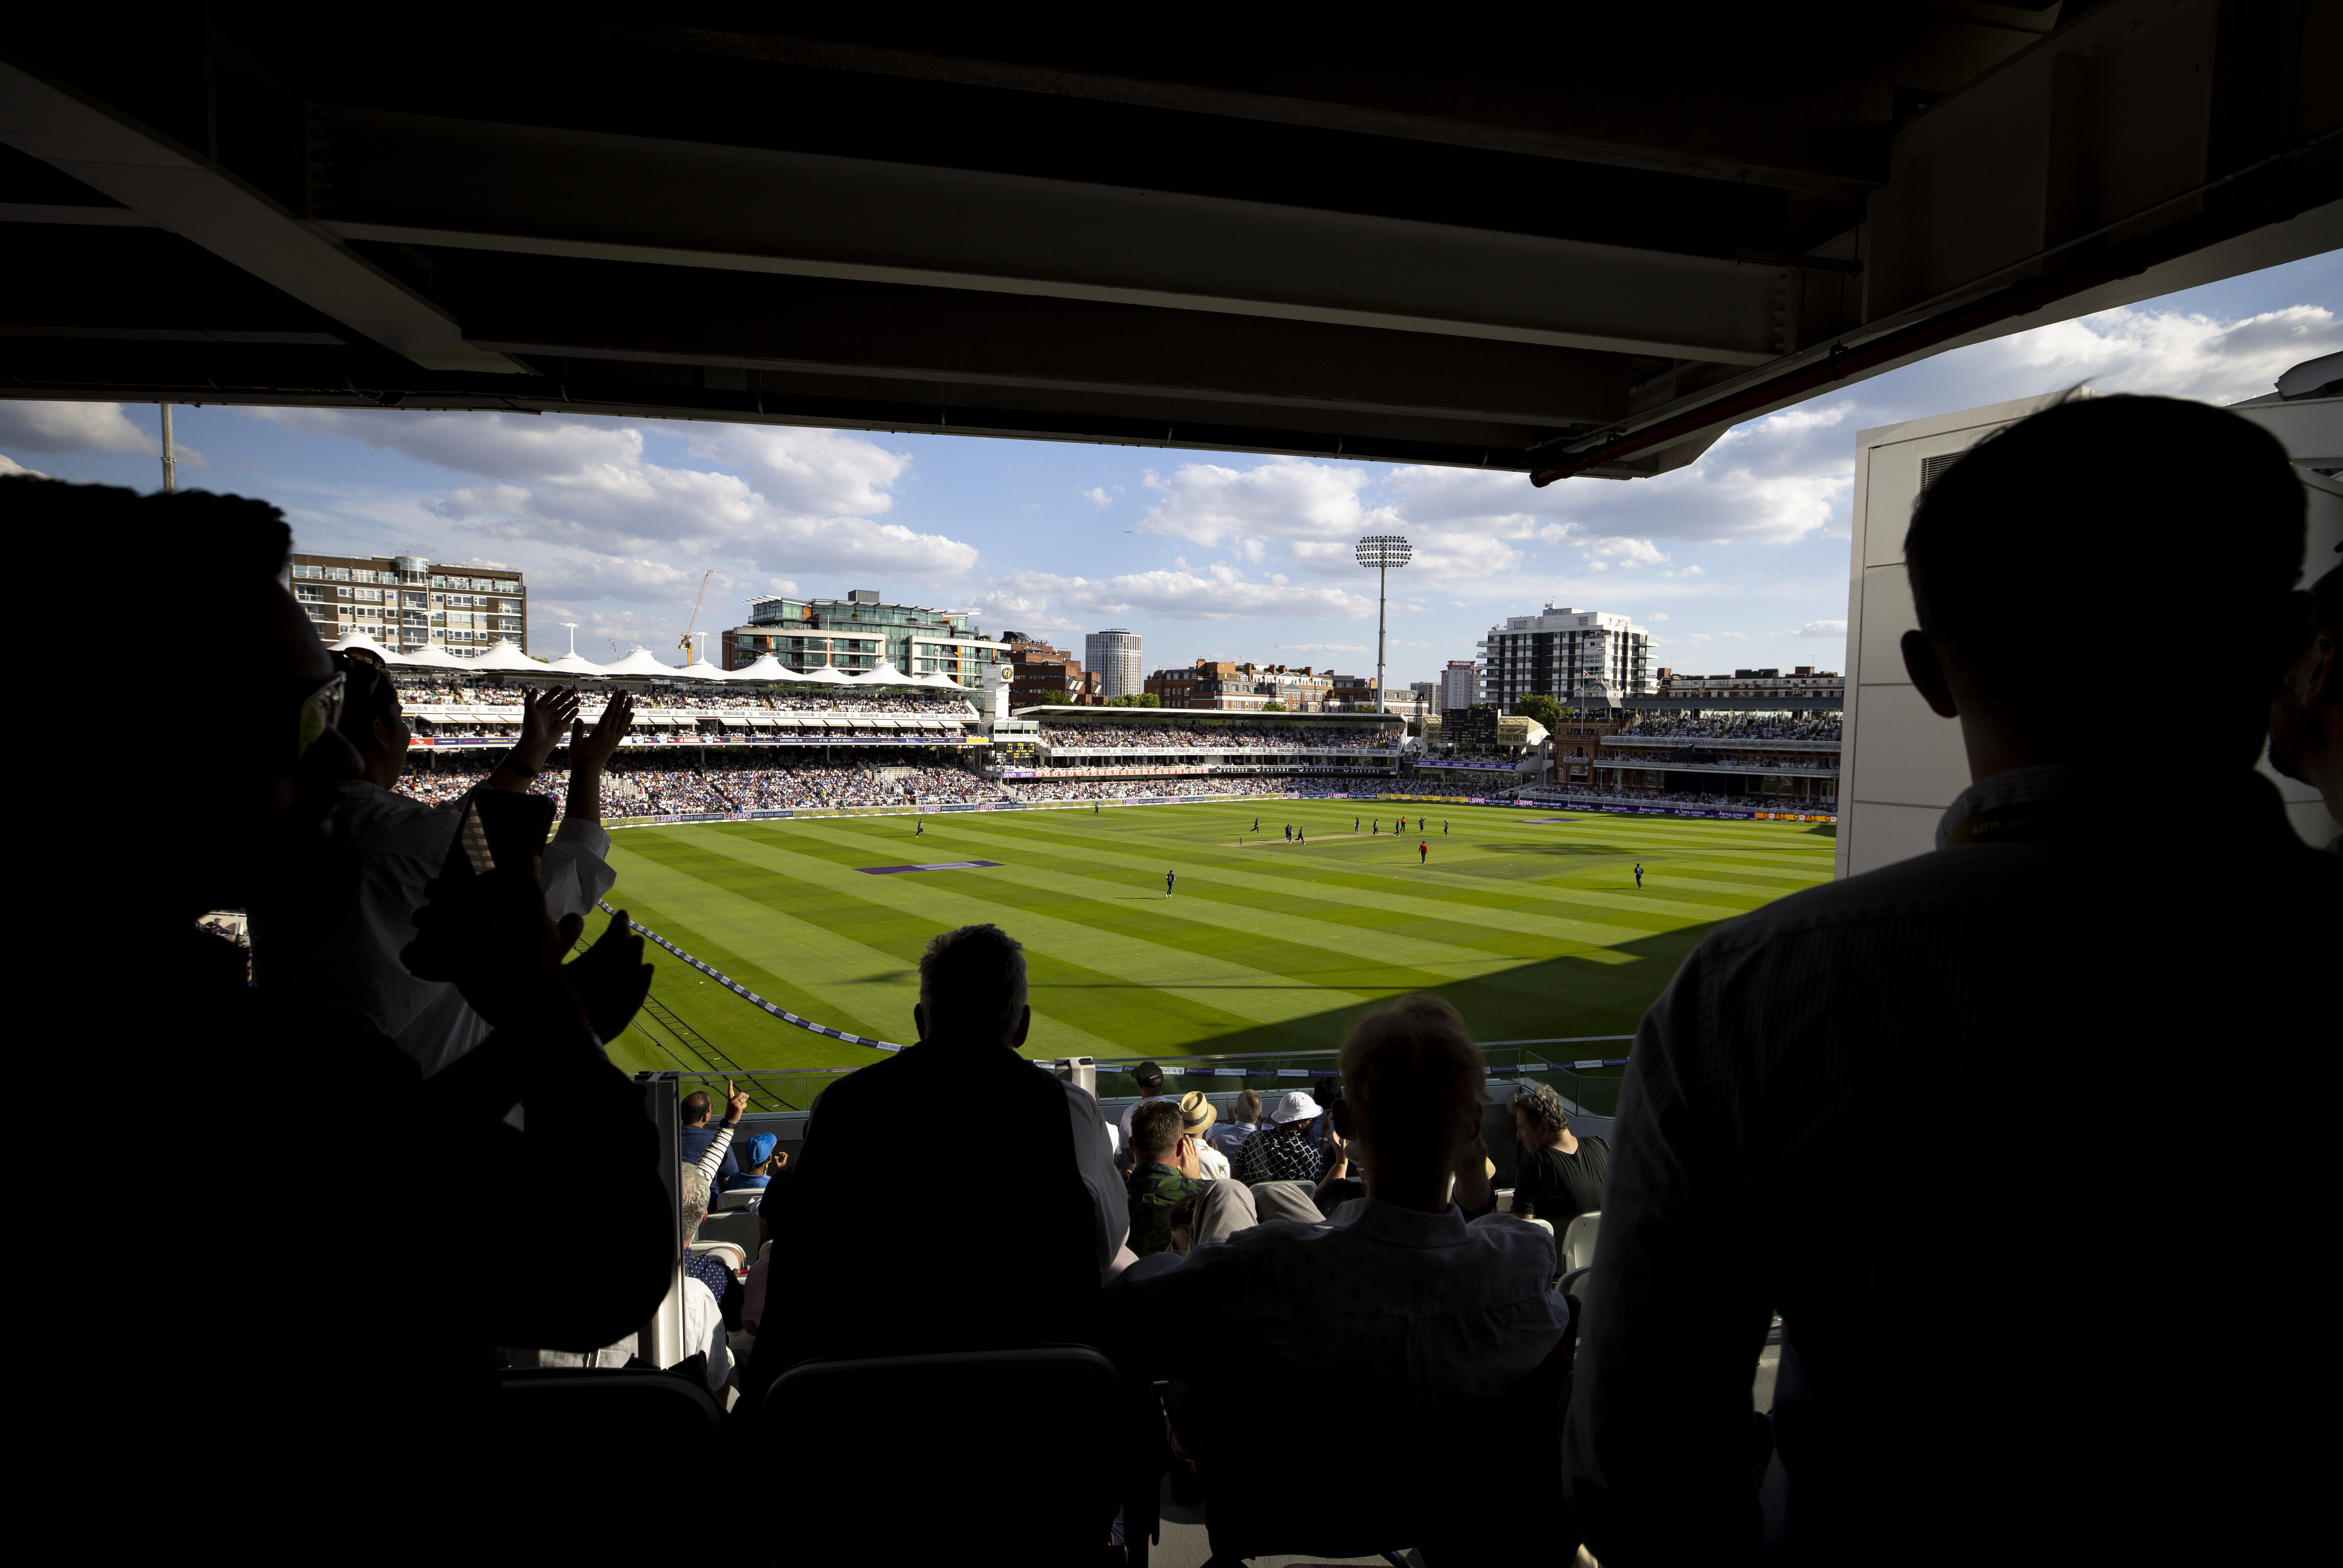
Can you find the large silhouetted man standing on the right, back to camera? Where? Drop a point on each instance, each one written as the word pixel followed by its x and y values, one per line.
pixel 1810 1122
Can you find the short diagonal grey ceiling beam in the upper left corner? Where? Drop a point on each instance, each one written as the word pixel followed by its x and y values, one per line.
pixel 186 193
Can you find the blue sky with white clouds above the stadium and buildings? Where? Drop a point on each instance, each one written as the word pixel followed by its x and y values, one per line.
pixel 1737 561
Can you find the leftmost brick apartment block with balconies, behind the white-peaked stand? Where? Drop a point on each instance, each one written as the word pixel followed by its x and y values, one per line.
pixel 409 604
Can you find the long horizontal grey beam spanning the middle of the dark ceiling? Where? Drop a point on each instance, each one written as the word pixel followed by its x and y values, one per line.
pixel 428 182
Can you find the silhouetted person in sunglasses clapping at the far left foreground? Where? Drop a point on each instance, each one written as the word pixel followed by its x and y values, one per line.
pixel 428 1293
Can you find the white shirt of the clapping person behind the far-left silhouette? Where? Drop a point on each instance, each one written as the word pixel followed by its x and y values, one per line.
pixel 336 943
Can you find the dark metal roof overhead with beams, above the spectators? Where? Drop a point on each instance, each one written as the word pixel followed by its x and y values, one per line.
pixel 1571 243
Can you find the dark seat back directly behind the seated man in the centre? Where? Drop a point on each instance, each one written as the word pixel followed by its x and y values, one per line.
pixel 1020 1445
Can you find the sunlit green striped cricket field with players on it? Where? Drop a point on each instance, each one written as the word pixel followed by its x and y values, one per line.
pixel 1531 929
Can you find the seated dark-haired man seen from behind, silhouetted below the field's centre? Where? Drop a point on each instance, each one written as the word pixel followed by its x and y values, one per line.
pixel 866 1236
